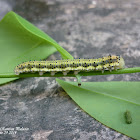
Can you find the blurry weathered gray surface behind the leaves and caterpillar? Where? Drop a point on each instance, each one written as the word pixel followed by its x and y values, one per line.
pixel 85 28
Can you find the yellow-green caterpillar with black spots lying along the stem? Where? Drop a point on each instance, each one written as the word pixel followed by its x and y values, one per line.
pixel 76 65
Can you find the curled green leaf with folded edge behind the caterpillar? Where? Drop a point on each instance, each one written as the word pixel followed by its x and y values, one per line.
pixel 21 41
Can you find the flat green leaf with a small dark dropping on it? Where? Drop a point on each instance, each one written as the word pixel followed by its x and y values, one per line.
pixel 108 101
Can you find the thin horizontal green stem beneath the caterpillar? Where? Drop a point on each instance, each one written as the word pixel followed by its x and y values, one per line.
pixel 70 74
